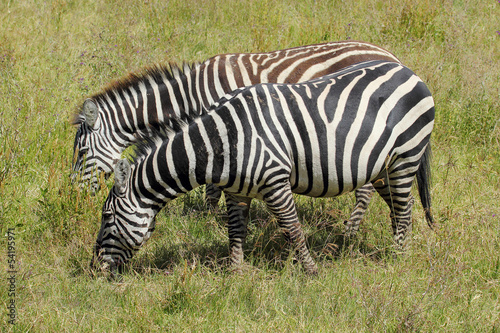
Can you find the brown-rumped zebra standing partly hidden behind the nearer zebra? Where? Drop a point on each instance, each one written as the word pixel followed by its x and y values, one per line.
pixel 111 121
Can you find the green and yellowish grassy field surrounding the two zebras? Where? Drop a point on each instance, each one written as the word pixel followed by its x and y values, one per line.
pixel 54 54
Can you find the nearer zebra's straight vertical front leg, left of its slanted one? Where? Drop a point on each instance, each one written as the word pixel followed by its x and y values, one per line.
pixel 237 209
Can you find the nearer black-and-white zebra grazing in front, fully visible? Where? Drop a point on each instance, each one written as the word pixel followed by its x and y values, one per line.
pixel 369 123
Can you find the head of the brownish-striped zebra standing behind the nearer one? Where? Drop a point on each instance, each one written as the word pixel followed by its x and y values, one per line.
pixel 92 154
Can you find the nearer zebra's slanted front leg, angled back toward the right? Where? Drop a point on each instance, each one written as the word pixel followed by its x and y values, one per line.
pixel 280 202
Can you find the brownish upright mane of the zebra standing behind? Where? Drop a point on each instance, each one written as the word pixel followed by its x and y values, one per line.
pixel 157 73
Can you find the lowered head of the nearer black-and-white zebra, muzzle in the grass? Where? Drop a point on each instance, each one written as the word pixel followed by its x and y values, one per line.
pixel 126 222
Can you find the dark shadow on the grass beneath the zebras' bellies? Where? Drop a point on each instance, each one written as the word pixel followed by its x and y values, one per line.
pixel 265 248
